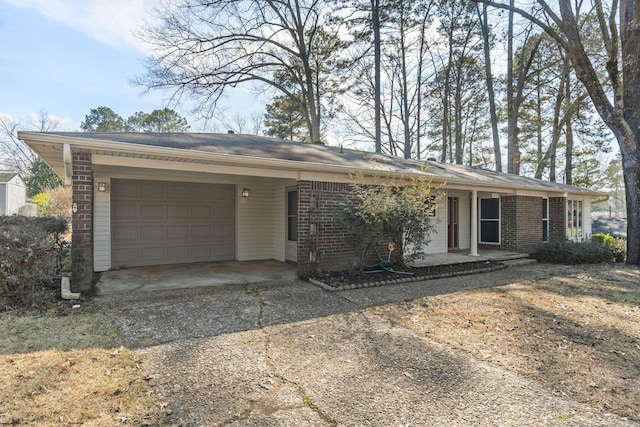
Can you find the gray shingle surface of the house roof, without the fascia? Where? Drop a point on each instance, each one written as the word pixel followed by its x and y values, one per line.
pixel 271 148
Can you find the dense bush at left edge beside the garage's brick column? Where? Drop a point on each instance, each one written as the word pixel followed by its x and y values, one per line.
pixel 32 256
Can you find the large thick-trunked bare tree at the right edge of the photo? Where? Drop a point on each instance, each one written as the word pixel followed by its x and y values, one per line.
pixel 615 96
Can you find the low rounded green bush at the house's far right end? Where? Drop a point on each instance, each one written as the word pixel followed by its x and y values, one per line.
pixel 568 252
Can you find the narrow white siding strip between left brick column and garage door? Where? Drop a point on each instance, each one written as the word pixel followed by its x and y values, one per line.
pixel 102 227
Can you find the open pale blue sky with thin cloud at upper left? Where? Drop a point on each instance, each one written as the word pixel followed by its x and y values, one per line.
pixel 66 57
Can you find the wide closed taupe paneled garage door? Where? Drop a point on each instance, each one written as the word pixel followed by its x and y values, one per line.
pixel 157 222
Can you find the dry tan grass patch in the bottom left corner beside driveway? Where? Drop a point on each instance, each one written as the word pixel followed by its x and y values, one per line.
pixel 68 369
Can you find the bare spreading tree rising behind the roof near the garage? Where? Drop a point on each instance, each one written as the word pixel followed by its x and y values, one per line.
pixel 202 48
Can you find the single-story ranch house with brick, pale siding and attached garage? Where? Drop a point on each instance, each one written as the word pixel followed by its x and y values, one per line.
pixel 157 199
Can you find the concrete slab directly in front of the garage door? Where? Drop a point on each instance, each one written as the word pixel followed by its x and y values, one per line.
pixel 184 276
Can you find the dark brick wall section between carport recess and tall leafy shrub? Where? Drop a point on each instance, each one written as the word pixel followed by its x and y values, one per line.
pixel 320 205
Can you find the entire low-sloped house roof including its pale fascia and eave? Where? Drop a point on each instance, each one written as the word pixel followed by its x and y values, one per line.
pixel 240 149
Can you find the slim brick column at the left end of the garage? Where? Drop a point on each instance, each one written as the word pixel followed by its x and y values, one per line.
pixel 82 224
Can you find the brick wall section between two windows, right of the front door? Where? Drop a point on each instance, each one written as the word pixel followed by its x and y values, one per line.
pixel 521 229
